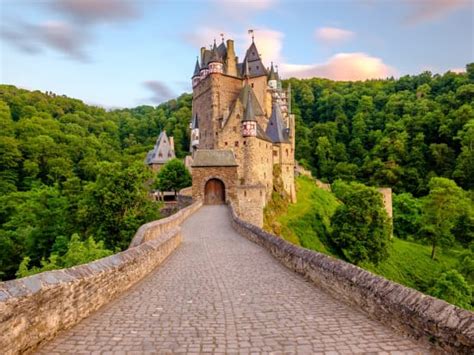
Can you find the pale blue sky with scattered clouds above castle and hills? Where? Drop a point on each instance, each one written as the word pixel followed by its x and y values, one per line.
pixel 125 53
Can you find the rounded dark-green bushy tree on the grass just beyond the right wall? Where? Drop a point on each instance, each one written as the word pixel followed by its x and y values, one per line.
pixel 361 228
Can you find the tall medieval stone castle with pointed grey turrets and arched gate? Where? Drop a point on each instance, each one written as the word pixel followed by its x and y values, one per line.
pixel 242 131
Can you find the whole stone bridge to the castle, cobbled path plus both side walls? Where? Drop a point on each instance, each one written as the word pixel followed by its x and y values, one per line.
pixel 222 293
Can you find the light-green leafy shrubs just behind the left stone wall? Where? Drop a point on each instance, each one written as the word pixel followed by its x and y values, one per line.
pixel 77 252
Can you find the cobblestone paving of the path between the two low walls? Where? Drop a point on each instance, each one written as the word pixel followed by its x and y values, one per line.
pixel 220 293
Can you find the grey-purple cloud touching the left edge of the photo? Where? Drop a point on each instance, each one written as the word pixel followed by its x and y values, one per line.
pixel 56 35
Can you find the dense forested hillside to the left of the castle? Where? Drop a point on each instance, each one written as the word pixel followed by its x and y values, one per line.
pixel 67 167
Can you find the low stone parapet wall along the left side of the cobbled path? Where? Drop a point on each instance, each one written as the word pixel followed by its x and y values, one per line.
pixel 33 309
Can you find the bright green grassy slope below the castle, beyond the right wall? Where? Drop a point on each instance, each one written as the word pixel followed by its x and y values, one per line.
pixel 307 223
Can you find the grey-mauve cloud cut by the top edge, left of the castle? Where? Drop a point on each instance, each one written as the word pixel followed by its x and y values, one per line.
pixel 96 11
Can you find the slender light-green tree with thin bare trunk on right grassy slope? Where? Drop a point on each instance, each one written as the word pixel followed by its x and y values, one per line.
pixel 441 208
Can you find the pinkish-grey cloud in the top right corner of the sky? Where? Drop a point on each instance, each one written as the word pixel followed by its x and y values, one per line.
pixel 429 10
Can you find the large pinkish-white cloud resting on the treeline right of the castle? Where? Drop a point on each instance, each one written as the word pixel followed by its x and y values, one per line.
pixel 342 66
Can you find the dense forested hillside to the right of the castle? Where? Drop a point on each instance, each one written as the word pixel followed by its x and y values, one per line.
pixel 393 132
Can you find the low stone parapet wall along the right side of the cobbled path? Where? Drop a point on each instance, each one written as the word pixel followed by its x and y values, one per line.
pixel 406 310
